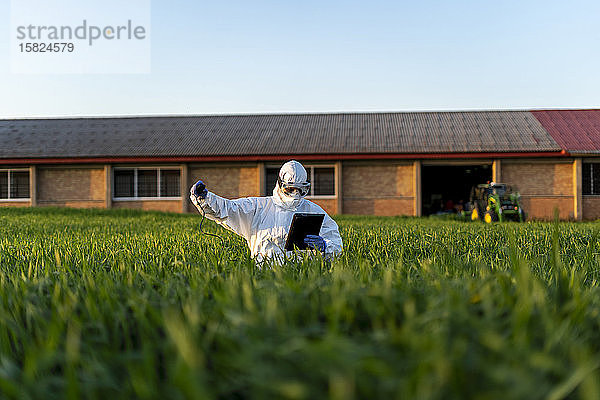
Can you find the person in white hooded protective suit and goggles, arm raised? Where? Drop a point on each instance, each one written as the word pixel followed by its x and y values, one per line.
pixel 265 221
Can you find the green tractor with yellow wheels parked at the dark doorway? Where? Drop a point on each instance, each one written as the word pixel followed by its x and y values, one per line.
pixel 493 202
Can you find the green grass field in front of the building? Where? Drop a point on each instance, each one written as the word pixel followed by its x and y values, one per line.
pixel 124 304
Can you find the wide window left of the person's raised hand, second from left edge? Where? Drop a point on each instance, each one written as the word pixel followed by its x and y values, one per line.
pixel 139 183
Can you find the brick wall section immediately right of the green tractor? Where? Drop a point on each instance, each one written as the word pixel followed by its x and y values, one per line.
pixel 544 186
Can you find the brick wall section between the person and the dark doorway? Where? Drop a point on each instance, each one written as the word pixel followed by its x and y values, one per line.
pixel 378 189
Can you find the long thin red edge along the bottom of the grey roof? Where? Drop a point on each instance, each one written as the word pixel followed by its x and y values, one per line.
pixel 282 157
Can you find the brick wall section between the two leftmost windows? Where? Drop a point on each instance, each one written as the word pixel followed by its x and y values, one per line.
pixel 70 187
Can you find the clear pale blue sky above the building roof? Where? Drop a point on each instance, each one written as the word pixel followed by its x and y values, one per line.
pixel 303 56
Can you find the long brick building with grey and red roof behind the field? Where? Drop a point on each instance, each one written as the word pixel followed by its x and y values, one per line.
pixel 359 163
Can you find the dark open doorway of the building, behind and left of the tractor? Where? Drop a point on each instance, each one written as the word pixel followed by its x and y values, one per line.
pixel 446 188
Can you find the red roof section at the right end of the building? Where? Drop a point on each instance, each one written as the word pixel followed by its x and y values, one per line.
pixel 576 131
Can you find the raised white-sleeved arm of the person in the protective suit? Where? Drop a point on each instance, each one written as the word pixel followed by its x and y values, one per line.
pixel 235 215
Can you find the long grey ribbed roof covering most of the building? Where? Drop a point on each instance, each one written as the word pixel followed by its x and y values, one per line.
pixel 286 134
